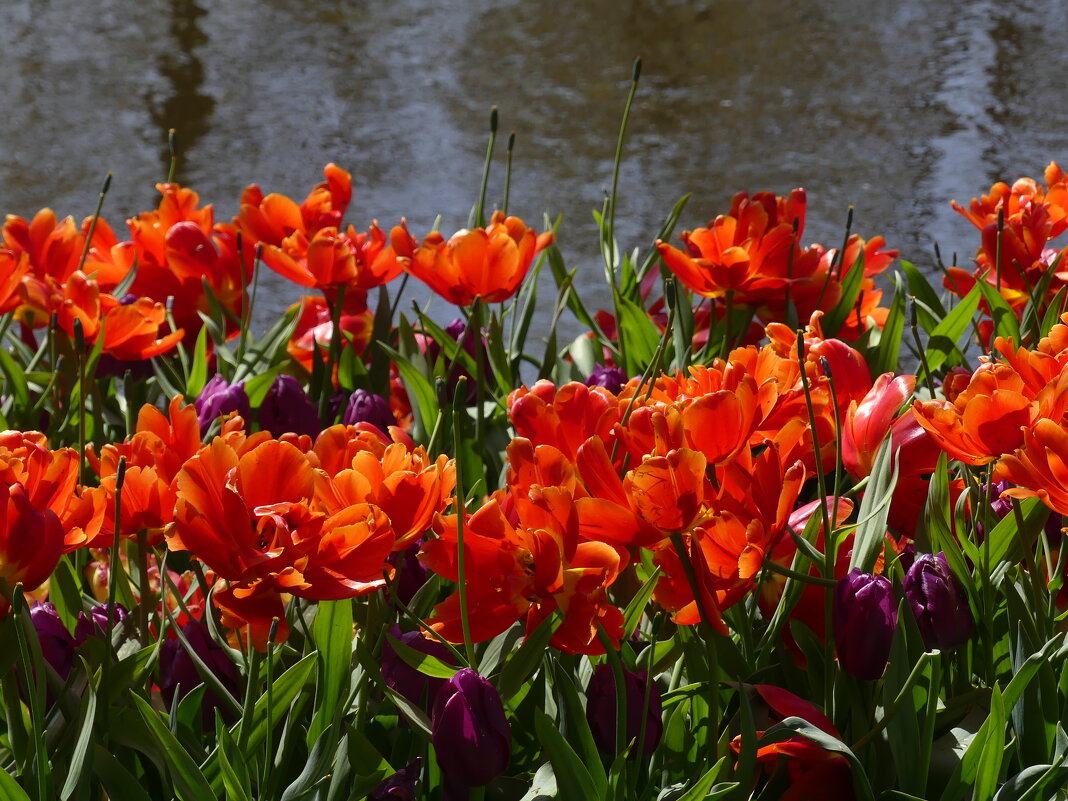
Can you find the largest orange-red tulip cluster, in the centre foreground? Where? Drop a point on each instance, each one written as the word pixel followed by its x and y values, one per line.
pixel 713 461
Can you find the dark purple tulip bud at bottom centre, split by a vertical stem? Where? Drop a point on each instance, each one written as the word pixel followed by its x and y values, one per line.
pixel 602 711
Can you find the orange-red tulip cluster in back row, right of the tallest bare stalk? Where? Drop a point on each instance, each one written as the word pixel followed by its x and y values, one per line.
pixel 753 256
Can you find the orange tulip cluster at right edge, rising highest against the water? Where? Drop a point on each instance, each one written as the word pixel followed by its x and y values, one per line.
pixel 1032 217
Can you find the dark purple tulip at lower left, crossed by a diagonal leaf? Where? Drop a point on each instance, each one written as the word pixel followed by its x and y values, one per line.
pixel 178 674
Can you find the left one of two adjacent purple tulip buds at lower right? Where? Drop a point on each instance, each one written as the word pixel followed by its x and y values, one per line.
pixel 865 618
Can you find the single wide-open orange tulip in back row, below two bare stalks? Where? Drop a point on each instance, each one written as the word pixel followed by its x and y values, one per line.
pixel 486 263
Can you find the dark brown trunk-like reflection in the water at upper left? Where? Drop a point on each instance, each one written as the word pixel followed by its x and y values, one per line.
pixel 186 109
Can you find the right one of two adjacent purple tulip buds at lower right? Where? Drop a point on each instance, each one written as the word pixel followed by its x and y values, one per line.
pixel 938 603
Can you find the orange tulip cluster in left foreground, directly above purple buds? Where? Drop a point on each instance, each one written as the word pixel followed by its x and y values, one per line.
pixel 317 521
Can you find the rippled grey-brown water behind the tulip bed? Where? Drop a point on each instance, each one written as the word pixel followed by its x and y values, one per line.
pixel 896 108
